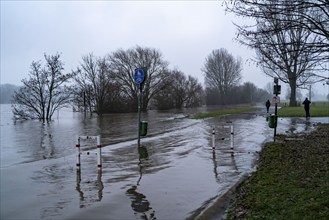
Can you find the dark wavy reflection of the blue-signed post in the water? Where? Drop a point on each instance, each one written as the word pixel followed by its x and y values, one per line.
pixel 139 203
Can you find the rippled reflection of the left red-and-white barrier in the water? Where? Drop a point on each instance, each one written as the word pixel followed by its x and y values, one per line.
pixel 90 186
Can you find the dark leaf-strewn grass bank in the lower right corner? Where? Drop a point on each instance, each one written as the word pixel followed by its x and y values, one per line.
pixel 291 182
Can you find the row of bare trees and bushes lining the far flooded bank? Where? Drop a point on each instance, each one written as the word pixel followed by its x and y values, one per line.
pixel 106 84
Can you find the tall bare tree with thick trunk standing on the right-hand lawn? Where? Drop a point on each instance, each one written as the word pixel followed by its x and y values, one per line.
pixel 286 46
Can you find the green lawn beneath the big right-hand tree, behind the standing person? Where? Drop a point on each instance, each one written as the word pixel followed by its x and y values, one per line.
pixel 317 109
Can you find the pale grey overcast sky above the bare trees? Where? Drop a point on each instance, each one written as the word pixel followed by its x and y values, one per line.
pixel 185 32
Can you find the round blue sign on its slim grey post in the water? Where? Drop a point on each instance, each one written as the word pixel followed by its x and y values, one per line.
pixel 139 77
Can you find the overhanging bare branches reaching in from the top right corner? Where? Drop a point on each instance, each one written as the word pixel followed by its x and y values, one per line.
pixel 313 14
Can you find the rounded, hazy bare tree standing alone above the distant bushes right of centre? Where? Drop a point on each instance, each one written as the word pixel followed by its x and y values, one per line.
pixel 222 72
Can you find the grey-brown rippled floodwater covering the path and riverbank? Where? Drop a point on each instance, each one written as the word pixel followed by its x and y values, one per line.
pixel 174 174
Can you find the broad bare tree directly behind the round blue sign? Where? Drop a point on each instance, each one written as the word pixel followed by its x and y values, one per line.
pixel 123 64
